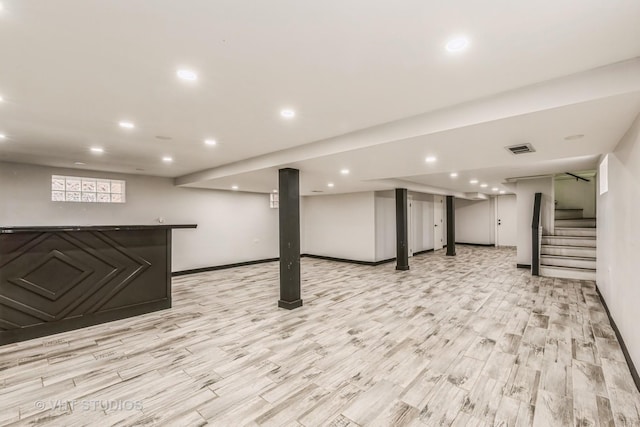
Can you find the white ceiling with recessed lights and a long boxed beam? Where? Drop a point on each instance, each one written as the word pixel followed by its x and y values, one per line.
pixel 72 69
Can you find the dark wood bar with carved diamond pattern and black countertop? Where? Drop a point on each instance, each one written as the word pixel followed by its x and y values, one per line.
pixel 55 279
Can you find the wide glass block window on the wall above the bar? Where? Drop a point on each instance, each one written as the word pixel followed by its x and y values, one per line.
pixel 86 190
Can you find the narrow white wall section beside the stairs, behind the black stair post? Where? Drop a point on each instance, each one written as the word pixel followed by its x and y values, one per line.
pixel 525 193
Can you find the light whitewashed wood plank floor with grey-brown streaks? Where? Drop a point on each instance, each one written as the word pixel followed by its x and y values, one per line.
pixel 464 341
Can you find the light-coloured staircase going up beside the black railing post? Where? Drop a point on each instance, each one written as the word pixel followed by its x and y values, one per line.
pixel 571 252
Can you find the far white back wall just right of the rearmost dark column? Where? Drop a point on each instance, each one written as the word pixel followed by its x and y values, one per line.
pixel 475 221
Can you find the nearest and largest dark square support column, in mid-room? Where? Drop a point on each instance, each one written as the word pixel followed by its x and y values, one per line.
pixel 289 220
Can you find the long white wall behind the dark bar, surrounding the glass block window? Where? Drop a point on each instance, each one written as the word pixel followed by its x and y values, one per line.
pixel 232 227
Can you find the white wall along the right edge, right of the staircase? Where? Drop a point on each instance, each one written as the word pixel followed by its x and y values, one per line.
pixel 618 251
